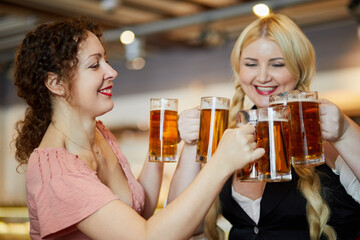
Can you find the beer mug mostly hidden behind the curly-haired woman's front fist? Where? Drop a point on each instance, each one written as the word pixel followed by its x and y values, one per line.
pixel 250 171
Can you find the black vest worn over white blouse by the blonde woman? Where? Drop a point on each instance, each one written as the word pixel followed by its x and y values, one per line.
pixel 283 211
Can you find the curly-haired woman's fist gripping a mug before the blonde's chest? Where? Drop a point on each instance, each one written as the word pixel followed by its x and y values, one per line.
pixel 238 147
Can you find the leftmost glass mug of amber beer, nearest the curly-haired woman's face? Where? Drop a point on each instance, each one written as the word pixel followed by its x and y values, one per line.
pixel 163 130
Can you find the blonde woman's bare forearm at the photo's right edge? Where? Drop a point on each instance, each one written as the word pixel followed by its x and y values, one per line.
pixel 348 146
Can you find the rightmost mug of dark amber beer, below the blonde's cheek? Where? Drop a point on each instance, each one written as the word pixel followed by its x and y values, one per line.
pixel 306 146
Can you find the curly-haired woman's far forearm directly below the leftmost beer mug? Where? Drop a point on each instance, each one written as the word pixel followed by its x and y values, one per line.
pixel 151 178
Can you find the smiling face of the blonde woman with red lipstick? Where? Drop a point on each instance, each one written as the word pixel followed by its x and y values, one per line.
pixel 263 72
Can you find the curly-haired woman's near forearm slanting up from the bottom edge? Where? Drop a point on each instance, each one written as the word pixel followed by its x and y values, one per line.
pixel 190 207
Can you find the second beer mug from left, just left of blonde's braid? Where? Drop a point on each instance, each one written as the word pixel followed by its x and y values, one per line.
pixel 214 117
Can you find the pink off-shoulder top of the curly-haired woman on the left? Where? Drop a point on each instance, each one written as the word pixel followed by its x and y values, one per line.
pixel 62 190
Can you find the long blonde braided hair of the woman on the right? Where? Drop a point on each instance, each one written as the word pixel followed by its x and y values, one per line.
pixel 299 57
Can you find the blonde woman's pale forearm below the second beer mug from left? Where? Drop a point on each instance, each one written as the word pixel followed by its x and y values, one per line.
pixel 186 171
